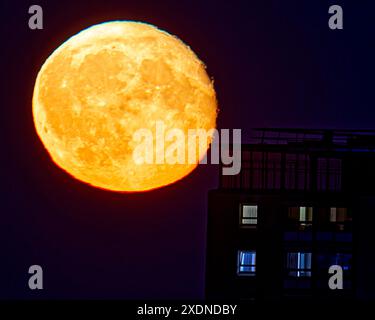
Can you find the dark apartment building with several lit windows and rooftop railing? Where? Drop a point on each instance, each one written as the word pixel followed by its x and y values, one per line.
pixel 303 201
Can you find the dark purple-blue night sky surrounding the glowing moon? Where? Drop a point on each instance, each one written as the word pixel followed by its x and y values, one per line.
pixel 274 64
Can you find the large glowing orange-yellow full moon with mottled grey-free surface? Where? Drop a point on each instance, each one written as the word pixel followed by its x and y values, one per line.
pixel 105 83
